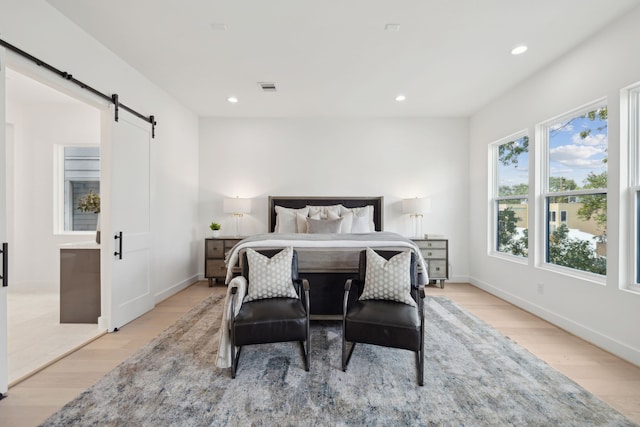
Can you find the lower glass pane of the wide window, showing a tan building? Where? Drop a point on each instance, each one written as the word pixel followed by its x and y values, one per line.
pixel 580 242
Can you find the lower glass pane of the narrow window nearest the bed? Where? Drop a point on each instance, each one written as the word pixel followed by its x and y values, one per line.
pixel 513 232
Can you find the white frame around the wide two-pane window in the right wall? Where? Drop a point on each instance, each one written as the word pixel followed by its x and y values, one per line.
pixel 542 137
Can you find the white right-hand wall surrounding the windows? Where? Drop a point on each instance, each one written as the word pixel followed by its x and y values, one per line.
pixel 604 314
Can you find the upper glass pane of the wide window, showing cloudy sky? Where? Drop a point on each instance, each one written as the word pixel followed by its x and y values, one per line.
pixel 578 152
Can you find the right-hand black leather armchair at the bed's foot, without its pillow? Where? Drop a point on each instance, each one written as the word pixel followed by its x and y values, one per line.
pixel 382 322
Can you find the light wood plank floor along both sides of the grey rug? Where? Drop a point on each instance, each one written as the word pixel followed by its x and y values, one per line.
pixel 612 379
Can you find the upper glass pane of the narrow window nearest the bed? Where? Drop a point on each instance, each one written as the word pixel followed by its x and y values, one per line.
pixel 513 168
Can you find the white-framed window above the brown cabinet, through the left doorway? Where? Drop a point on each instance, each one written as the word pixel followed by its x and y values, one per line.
pixel 79 174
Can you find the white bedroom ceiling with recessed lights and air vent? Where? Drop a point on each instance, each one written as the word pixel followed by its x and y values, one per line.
pixel 334 57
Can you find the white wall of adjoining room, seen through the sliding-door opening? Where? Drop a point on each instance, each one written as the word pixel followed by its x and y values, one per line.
pixel 37 129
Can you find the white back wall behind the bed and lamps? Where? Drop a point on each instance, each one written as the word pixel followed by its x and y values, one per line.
pixel 394 158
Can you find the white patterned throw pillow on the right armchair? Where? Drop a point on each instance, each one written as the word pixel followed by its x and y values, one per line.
pixel 388 280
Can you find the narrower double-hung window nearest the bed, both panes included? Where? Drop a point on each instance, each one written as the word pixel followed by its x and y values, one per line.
pixel 511 192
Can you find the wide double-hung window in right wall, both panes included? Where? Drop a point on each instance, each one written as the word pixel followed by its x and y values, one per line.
pixel 575 184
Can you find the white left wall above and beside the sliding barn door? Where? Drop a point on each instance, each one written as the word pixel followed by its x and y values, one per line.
pixel 37 28
